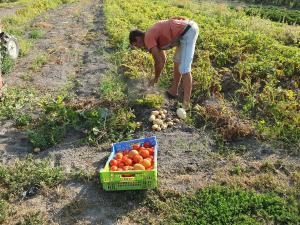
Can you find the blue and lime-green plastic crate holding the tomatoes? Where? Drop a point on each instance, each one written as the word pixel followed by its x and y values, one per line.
pixel 114 181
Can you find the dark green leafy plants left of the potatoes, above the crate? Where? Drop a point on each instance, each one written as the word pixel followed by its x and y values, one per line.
pixel 97 124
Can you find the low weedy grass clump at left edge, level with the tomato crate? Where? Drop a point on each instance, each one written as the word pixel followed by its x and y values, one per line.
pixel 20 176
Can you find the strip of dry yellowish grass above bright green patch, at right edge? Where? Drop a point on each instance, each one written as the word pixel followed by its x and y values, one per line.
pixel 271 174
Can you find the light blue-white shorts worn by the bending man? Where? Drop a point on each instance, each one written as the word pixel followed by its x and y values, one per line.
pixel 185 51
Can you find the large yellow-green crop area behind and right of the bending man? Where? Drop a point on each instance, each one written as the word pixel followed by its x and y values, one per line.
pixel 261 58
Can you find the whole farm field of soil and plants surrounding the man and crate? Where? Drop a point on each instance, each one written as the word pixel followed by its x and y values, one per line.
pixel 77 87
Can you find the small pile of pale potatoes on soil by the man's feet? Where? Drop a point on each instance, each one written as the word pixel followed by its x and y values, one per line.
pixel 161 120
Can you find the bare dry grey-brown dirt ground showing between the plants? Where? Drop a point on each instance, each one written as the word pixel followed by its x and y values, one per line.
pixel 73 36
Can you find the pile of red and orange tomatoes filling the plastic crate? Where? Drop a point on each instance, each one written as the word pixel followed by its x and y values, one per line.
pixel 138 158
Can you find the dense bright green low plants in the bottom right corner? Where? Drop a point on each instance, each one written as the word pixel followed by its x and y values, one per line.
pixel 221 205
